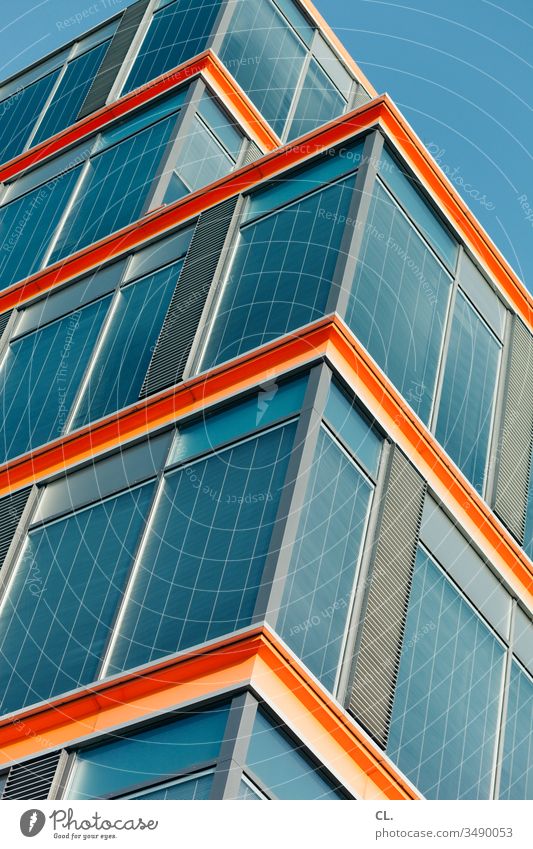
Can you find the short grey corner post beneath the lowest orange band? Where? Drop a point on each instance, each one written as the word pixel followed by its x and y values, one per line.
pixel 234 749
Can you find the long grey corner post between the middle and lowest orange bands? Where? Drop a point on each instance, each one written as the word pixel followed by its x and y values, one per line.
pixel 293 497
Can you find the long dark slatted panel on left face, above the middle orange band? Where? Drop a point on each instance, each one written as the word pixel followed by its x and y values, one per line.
pixel 185 310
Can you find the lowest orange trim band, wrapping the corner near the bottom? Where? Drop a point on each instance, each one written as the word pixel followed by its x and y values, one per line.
pixel 256 658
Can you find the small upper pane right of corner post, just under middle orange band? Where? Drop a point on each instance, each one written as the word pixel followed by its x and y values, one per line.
pixel 353 427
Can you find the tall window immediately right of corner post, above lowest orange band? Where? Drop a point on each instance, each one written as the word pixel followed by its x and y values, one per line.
pixel 324 561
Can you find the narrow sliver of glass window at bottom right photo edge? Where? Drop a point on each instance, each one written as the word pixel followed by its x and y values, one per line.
pixel 517 766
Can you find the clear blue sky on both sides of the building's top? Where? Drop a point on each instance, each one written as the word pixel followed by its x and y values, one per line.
pixel 460 72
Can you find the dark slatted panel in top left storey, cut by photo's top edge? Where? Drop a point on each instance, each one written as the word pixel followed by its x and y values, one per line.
pixel 114 58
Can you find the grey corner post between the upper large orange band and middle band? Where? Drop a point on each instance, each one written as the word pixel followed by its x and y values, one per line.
pixel 354 228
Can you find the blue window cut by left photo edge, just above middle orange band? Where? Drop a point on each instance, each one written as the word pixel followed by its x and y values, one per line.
pixel 41 375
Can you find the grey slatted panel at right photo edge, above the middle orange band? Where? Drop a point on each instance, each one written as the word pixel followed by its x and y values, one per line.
pixel 514 445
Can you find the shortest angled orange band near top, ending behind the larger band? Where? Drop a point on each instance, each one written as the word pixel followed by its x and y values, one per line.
pixel 206 64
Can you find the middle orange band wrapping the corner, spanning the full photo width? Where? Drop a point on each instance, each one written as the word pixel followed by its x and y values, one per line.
pixel 330 338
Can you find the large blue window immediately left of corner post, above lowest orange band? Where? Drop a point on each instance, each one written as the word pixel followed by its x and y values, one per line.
pixel 202 562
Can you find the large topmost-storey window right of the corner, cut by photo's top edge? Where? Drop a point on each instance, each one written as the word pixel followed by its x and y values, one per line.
pixel 265 56
